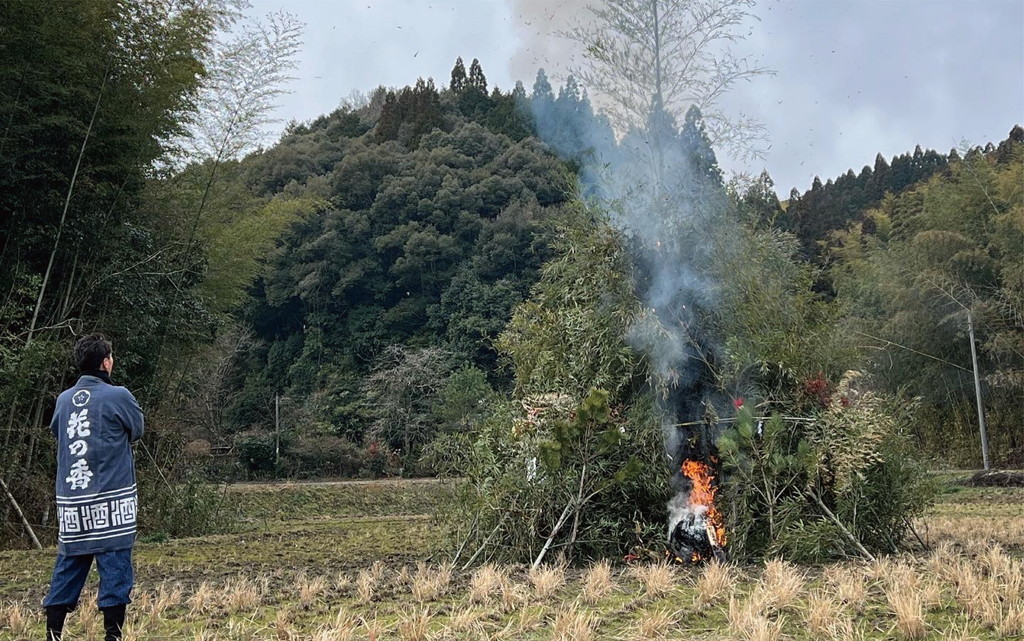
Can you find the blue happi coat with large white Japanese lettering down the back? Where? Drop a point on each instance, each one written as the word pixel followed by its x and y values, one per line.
pixel 98 501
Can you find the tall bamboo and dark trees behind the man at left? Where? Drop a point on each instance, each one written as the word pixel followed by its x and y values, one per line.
pixel 99 102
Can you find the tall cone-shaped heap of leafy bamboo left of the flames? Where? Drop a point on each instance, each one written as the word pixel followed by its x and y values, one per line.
pixel 578 456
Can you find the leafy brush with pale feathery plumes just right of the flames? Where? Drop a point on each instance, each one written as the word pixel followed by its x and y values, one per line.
pixel 819 489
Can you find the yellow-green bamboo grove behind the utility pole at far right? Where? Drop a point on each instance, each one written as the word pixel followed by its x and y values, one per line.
pixel 945 250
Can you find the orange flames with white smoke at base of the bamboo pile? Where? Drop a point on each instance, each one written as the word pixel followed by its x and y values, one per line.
pixel 697 528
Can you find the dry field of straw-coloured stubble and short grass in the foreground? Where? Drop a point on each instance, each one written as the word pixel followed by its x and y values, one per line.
pixel 361 562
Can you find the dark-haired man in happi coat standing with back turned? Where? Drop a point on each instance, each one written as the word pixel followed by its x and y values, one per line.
pixel 96 422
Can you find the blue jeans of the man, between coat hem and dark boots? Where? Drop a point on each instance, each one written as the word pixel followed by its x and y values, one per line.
pixel 70 573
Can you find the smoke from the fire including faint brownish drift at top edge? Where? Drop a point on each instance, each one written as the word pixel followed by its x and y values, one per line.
pixel 669 215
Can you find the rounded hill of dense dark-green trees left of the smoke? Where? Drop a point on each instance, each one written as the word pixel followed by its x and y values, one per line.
pixel 441 204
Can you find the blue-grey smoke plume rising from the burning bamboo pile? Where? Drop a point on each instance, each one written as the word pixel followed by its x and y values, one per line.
pixel 661 188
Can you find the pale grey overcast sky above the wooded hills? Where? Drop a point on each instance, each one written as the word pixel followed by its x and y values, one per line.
pixel 854 78
